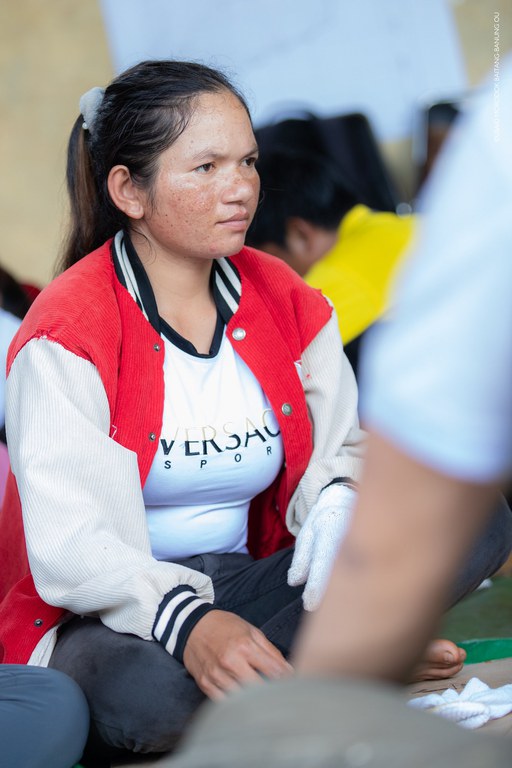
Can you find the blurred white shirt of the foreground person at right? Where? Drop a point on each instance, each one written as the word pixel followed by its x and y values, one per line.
pixel 453 305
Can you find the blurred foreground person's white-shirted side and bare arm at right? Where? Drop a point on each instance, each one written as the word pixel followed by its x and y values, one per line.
pixel 437 399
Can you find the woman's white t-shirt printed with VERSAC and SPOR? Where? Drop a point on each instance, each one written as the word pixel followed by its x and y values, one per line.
pixel 220 446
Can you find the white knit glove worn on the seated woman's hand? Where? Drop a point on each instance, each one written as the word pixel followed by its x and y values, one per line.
pixel 318 542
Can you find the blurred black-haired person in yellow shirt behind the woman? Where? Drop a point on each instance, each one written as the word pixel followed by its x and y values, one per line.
pixel 311 218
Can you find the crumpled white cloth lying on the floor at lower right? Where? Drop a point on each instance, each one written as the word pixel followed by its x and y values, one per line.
pixel 474 706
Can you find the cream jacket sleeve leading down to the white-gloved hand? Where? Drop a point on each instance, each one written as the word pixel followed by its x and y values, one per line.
pixel 338 442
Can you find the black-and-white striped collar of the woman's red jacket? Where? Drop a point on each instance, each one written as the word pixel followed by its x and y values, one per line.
pixel 226 283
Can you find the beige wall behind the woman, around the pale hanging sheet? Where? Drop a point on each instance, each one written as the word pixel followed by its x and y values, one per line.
pixel 51 51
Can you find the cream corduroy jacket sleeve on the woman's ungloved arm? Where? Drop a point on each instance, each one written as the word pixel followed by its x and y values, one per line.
pixel 83 510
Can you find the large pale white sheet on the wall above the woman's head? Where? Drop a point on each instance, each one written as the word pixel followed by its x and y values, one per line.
pixel 381 57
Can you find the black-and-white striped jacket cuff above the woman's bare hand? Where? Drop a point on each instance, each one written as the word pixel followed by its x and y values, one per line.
pixel 177 615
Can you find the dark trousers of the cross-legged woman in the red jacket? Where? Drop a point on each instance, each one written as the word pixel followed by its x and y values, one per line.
pixel 141 699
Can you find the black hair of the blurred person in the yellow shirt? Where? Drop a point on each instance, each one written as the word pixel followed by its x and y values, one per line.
pixel 302 184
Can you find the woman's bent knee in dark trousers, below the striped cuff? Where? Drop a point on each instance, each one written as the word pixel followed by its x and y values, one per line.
pixel 140 698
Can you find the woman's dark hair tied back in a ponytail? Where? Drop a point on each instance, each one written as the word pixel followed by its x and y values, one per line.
pixel 142 113
